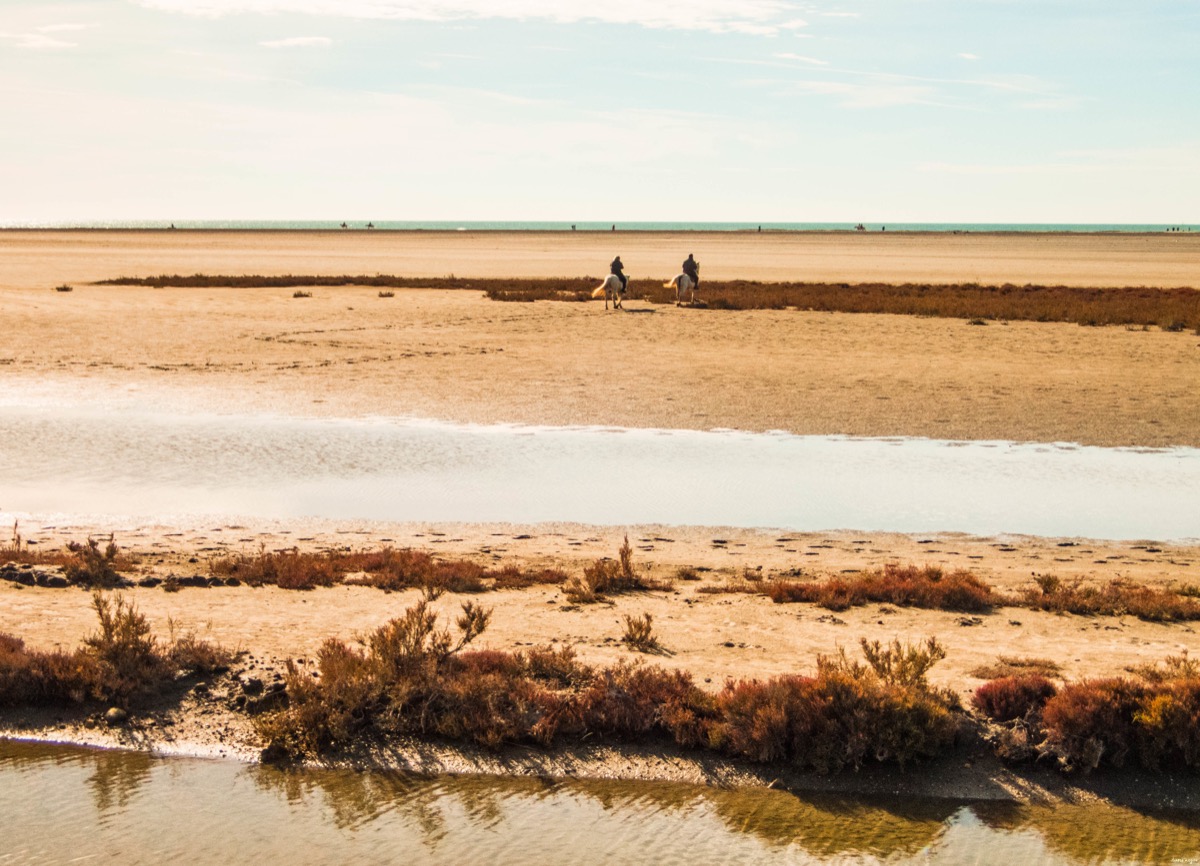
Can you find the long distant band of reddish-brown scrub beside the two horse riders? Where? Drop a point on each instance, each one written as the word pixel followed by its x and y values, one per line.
pixel 1171 309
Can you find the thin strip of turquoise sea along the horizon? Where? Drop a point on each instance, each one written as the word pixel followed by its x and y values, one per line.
pixel 559 226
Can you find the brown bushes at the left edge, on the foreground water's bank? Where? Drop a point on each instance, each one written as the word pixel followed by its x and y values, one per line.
pixel 121 664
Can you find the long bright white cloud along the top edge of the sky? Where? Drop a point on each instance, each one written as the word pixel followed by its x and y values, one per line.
pixel 752 17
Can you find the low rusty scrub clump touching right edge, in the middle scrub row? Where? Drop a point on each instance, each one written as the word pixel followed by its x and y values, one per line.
pixel 1115 599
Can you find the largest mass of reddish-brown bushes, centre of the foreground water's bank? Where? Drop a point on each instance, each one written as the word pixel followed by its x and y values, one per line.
pixel 412 678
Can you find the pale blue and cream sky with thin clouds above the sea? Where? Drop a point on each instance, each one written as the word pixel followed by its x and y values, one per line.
pixel 759 111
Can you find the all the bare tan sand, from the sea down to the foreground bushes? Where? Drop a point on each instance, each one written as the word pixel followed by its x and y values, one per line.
pixel 454 356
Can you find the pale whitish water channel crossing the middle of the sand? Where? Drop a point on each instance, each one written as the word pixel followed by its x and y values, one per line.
pixel 142 464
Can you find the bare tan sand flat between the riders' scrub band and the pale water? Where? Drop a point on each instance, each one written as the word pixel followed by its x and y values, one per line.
pixel 458 357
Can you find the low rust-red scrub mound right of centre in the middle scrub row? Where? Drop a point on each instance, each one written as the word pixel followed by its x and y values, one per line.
pixel 927 587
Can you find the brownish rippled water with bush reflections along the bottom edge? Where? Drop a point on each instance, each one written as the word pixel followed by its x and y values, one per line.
pixel 63 804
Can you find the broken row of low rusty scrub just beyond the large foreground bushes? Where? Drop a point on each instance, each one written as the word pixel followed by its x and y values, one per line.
pixel 391 569
